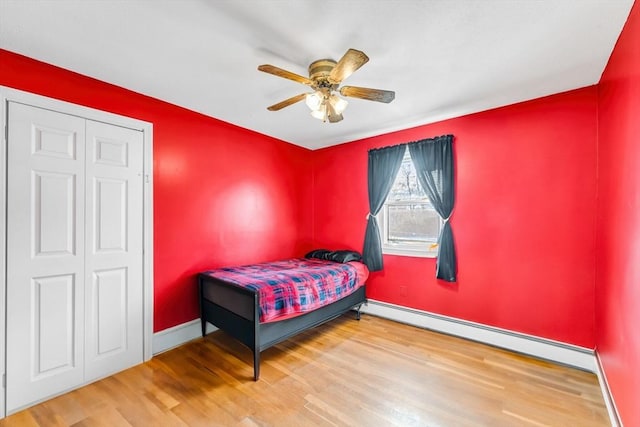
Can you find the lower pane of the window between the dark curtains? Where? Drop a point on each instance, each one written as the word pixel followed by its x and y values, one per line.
pixel 415 223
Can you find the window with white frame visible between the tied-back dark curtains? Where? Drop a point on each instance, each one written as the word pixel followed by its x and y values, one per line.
pixel 409 224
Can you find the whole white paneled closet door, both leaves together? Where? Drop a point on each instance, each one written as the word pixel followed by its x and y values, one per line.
pixel 74 252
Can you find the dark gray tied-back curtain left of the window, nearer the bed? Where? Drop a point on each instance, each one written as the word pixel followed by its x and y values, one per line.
pixel 384 164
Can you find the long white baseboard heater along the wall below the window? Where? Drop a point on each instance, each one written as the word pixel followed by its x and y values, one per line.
pixel 567 354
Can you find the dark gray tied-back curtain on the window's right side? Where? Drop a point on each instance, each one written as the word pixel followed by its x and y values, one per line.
pixel 433 160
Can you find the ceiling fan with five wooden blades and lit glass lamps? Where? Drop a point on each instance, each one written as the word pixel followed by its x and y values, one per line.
pixel 325 75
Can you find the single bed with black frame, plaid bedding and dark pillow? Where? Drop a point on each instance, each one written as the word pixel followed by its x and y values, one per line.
pixel 263 304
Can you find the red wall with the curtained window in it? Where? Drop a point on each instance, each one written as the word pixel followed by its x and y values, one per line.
pixel 524 221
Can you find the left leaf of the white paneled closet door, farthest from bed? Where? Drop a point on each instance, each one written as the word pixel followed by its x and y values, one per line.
pixel 45 254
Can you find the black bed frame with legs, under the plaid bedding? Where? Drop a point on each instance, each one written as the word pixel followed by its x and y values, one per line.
pixel 236 311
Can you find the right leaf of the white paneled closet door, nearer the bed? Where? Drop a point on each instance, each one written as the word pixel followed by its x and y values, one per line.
pixel 114 211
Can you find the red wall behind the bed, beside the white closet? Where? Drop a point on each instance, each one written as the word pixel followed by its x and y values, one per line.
pixel 222 194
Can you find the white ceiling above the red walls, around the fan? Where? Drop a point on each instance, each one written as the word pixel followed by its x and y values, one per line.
pixel 443 58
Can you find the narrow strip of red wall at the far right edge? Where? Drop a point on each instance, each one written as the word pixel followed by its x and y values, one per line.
pixel 618 222
